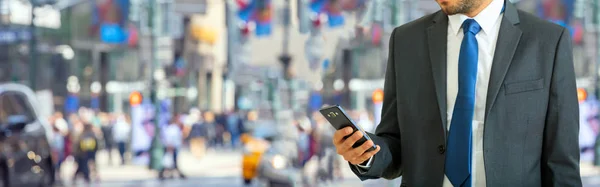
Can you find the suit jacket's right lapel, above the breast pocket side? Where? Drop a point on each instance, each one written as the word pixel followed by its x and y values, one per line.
pixel 508 40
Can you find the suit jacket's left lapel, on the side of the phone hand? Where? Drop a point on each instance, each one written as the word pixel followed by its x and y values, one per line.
pixel 437 41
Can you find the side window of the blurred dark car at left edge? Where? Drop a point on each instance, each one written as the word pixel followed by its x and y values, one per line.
pixel 15 103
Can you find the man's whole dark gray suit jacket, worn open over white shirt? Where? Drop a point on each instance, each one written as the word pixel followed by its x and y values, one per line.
pixel 531 122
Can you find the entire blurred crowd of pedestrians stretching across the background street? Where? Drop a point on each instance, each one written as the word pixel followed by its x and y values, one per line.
pixel 79 136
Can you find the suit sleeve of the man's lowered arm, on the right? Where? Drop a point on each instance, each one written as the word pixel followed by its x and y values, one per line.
pixel 560 152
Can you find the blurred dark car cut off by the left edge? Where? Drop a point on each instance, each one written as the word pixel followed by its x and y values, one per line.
pixel 25 154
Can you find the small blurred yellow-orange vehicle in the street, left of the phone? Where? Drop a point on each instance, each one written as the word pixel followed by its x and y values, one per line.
pixel 255 144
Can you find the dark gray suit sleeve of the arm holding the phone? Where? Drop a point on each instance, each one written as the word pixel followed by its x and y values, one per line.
pixel 386 163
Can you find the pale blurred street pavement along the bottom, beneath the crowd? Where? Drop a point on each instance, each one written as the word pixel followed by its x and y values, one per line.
pixel 222 169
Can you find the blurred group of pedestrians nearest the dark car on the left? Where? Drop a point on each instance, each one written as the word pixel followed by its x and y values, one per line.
pixel 79 136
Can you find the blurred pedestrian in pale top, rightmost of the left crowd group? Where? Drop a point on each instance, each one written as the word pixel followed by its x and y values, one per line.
pixel 121 132
